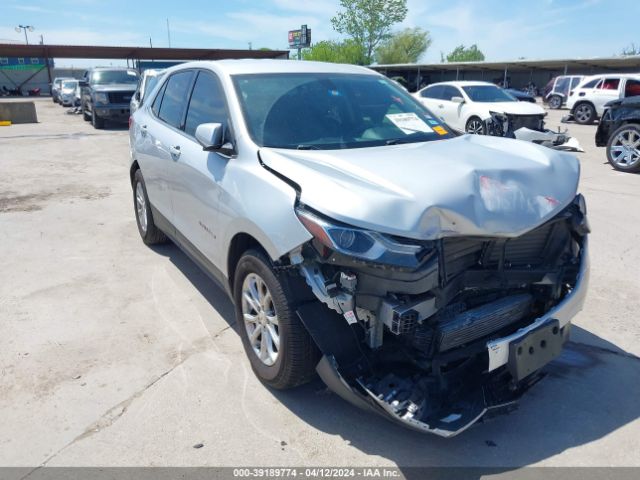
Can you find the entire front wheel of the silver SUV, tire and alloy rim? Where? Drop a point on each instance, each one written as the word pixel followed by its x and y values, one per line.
pixel 280 350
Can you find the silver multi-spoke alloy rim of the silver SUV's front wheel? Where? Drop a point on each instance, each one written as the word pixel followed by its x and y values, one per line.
pixel 260 319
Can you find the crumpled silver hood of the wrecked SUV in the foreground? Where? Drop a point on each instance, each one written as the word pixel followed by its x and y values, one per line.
pixel 468 185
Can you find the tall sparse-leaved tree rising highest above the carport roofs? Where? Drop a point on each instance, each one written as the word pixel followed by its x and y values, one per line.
pixel 368 22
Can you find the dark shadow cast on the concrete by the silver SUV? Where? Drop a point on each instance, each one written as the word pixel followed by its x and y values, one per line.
pixel 589 392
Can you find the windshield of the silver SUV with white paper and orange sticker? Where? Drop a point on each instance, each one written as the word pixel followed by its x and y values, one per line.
pixel 330 111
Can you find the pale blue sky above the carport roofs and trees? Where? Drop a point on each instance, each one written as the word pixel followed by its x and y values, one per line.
pixel 502 29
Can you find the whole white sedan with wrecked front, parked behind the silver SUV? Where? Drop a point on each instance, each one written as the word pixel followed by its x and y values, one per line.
pixel 484 108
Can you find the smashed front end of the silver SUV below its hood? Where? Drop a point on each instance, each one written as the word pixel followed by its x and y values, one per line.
pixel 436 334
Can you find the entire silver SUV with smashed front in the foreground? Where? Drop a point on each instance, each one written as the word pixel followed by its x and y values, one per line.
pixel 425 275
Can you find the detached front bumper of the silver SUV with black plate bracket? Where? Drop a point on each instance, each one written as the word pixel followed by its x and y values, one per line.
pixel 495 389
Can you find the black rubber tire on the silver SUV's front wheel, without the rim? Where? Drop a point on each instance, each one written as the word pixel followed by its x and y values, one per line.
pixel 297 354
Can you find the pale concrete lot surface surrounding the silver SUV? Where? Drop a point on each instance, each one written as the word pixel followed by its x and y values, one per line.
pixel 114 354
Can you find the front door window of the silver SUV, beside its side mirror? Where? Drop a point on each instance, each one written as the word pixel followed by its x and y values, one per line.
pixel 207 104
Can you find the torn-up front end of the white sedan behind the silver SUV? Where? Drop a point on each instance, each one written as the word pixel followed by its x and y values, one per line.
pixel 530 128
